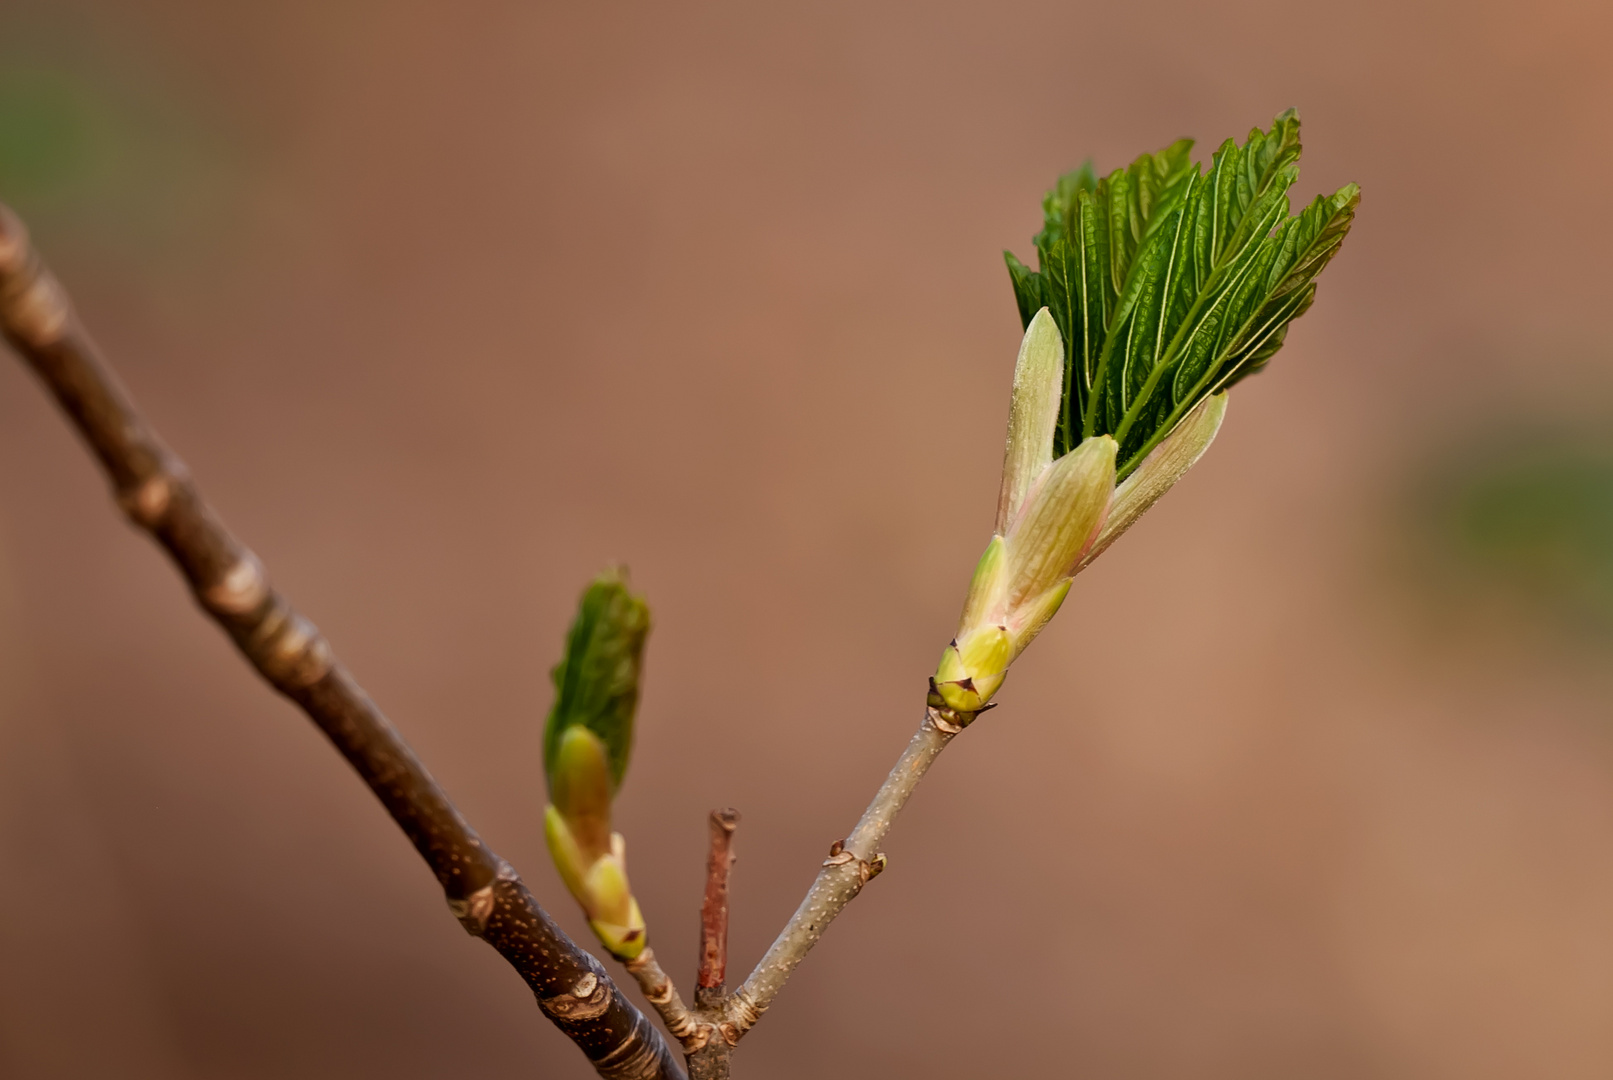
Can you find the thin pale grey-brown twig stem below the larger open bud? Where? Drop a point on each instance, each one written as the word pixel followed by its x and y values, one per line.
pixel 852 863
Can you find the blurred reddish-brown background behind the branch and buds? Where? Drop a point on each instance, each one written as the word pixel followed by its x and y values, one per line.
pixel 452 304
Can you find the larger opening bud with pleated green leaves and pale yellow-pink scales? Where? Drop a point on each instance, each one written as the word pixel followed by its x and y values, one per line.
pixel 1157 289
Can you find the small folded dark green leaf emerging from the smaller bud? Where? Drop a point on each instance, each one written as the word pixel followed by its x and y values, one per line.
pixel 598 679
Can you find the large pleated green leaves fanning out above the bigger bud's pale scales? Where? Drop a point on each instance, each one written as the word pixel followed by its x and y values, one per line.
pixel 1172 281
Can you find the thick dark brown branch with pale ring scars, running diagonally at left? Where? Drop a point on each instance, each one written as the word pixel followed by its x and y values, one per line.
pixel 156 491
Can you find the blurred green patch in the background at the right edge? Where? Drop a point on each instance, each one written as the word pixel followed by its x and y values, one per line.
pixel 1527 521
